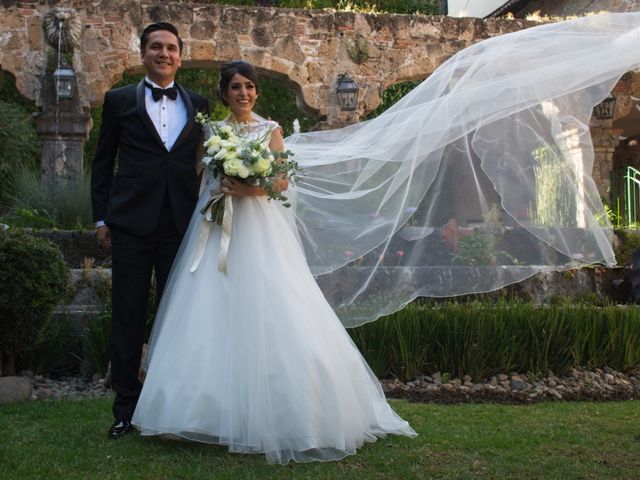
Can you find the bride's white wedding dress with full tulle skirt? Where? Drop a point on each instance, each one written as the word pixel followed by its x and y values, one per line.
pixel 256 359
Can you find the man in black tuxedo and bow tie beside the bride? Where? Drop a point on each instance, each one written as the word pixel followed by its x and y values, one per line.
pixel 142 209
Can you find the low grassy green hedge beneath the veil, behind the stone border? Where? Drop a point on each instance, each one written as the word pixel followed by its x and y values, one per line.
pixel 481 340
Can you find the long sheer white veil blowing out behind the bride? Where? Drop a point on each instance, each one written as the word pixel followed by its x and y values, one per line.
pixel 478 178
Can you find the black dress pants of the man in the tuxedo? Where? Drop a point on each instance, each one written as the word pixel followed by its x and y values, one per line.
pixel 133 259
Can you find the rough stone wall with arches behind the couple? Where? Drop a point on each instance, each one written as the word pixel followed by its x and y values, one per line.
pixel 305 49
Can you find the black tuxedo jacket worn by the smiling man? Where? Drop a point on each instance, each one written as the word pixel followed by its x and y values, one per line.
pixel 132 196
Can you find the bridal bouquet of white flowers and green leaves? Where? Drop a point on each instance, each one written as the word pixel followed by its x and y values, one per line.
pixel 244 159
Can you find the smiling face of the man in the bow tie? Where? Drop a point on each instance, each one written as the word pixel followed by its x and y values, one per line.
pixel 161 57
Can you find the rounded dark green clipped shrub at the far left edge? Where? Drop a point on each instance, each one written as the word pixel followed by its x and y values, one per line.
pixel 33 279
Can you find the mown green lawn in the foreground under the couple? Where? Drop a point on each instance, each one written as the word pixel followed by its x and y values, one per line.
pixel 67 440
